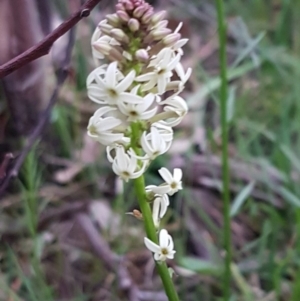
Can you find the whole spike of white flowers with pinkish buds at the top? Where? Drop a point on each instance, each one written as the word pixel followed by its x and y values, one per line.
pixel 137 82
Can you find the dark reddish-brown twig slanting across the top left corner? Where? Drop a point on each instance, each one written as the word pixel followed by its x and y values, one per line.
pixel 45 45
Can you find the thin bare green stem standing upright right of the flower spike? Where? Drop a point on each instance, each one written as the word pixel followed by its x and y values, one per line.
pixel 225 166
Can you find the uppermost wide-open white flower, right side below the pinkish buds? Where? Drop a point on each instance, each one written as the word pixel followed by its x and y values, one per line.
pixel 163 65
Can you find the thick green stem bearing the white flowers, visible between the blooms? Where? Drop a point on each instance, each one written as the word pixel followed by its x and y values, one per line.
pixel 139 185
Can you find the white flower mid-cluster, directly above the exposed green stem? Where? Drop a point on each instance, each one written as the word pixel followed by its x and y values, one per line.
pixel 138 111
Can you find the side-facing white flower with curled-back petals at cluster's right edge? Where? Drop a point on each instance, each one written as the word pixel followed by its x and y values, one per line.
pixel 177 105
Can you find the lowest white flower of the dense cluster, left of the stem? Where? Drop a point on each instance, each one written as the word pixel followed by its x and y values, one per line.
pixel 126 166
